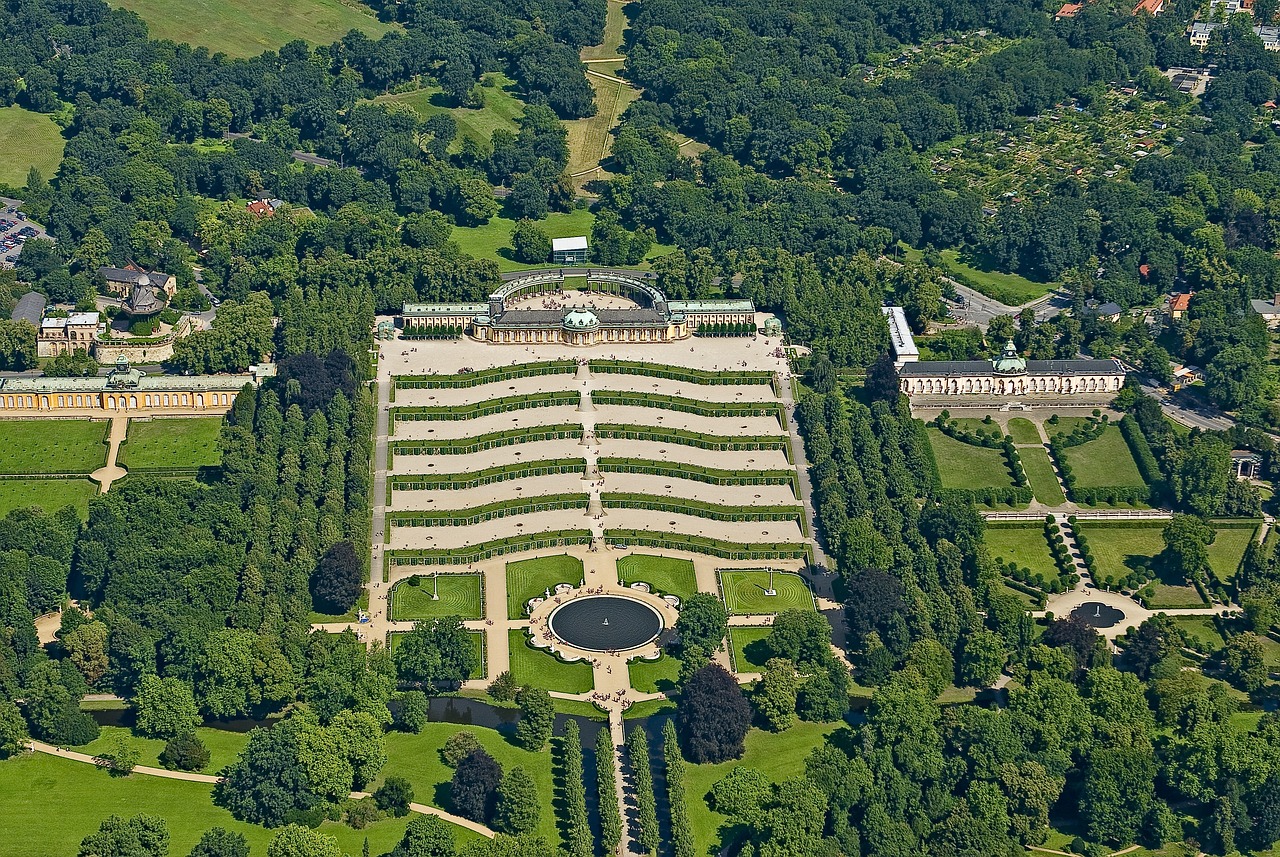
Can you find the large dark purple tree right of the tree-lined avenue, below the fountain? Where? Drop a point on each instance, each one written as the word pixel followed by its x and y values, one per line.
pixel 712 717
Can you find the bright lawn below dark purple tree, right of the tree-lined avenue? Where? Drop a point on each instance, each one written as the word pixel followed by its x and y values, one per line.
pixel 776 755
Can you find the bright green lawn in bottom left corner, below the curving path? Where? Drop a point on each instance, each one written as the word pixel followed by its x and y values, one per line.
pixel 52 804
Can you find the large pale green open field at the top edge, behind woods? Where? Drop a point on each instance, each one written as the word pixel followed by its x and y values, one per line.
pixel 248 29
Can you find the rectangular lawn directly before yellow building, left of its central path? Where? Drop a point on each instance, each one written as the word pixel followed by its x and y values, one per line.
pixel 52 446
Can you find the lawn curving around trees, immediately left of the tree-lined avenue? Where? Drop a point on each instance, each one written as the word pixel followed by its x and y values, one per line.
pixel 418 759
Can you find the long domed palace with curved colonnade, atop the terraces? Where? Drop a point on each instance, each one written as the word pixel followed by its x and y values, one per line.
pixel 537 310
